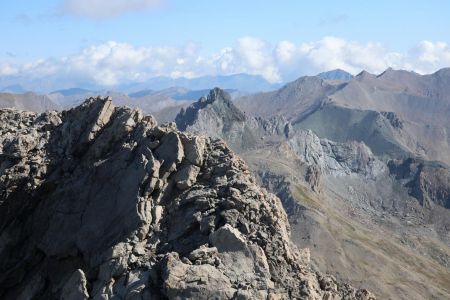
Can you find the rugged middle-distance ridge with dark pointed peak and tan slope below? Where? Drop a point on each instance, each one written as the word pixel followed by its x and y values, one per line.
pixel 367 212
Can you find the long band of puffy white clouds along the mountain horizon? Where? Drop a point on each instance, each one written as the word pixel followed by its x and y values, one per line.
pixel 111 63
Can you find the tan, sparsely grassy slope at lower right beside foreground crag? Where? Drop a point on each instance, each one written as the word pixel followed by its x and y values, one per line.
pixel 348 244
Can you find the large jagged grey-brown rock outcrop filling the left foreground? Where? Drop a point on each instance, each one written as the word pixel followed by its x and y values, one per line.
pixel 99 202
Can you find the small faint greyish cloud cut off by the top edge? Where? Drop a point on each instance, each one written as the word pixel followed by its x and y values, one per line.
pixel 106 8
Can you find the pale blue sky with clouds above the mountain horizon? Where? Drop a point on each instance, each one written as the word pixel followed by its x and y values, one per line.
pixel 111 41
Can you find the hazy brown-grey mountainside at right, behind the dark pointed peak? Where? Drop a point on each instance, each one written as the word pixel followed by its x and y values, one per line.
pixel 395 113
